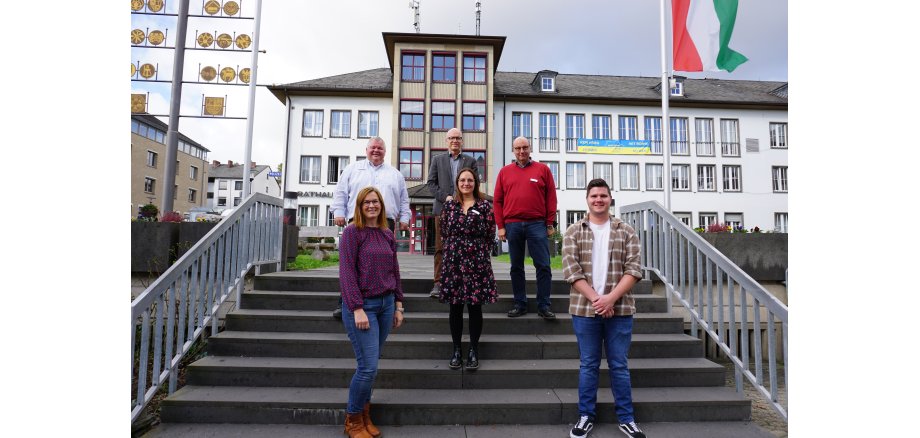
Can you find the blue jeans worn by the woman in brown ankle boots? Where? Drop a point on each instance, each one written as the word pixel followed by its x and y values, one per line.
pixel 367 345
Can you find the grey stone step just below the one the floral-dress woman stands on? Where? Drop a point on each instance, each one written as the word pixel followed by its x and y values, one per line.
pixel 280 405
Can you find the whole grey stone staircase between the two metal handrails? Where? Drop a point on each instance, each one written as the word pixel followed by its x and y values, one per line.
pixel 283 360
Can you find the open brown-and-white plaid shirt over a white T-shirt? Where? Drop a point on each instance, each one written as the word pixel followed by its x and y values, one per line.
pixel 624 248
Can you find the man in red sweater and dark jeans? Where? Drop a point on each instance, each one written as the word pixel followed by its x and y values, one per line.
pixel 525 208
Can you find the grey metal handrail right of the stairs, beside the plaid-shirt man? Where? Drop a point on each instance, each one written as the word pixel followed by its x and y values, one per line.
pixel 690 269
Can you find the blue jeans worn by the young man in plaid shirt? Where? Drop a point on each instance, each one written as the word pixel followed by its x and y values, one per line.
pixel 614 334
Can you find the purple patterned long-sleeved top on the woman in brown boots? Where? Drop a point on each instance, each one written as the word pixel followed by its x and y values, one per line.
pixel 367 265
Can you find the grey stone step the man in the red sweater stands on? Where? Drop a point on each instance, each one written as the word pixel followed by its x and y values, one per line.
pixel 433 322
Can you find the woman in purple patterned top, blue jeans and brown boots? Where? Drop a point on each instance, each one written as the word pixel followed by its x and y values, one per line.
pixel 372 296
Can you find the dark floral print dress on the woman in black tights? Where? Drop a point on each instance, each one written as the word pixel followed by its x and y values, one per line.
pixel 467 239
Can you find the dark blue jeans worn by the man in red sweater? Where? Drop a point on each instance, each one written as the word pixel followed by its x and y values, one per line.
pixel 534 234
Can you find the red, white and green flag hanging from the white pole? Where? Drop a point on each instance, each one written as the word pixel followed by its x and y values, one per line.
pixel 702 31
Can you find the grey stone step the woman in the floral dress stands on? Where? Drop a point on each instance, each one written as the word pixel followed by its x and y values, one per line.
pixel 435 374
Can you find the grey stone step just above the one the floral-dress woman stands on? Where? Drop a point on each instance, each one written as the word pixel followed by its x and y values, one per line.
pixel 428 346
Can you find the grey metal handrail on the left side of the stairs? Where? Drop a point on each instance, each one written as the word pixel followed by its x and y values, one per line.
pixel 189 294
